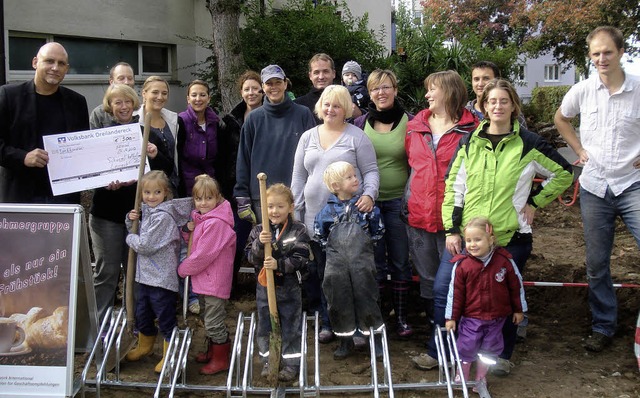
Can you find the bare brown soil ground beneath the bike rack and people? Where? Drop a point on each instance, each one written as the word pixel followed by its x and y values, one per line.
pixel 550 363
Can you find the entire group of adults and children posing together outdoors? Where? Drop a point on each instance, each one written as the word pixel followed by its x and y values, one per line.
pixel 362 193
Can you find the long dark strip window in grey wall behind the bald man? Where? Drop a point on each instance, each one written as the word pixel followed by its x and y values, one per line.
pixel 89 58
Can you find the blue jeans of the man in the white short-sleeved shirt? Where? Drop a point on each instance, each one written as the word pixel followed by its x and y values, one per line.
pixel 598 218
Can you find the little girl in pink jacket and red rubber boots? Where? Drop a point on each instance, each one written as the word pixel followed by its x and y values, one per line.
pixel 210 266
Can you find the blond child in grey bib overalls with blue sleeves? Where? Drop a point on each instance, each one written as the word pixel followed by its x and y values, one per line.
pixel 350 275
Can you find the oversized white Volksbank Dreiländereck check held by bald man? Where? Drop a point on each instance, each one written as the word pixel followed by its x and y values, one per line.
pixel 93 158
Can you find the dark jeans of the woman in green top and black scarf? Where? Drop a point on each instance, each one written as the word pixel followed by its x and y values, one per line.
pixel 392 251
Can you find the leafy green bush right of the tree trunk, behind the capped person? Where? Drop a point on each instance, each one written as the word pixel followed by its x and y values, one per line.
pixel 291 36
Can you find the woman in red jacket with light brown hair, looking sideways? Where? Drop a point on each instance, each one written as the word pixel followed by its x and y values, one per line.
pixel 431 141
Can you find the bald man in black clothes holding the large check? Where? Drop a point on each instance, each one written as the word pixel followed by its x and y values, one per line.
pixel 29 111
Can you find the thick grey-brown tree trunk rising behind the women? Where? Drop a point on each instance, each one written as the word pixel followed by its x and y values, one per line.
pixel 225 15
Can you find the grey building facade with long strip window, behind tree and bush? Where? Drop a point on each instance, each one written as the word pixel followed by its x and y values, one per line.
pixel 152 35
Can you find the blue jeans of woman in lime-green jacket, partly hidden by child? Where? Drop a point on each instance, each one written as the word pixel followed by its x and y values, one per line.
pixel 520 249
